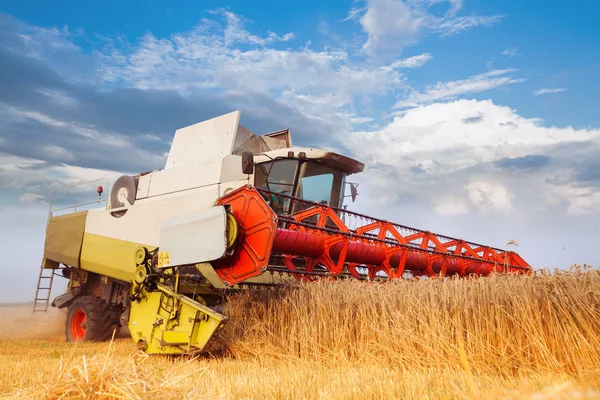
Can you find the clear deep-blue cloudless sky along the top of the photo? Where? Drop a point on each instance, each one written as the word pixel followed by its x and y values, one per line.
pixel 553 44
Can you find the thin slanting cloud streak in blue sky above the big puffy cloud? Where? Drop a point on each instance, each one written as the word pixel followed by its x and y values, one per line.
pixel 453 89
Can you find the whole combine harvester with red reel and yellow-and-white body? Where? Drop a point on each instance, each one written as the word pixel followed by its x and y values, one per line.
pixel 230 209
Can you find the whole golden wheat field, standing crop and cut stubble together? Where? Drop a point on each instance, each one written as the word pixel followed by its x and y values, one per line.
pixel 504 337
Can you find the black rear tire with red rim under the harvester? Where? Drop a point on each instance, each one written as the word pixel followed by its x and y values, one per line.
pixel 90 319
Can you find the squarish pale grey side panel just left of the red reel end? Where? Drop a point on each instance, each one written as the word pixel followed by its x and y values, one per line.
pixel 195 237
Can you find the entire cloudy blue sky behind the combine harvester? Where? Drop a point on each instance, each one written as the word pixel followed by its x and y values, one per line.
pixel 474 119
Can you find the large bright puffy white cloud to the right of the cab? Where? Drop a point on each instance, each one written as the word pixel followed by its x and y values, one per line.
pixel 484 149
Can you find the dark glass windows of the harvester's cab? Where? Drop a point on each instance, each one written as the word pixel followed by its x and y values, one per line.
pixel 304 179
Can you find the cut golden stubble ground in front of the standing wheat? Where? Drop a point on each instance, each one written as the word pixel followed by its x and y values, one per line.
pixel 35 362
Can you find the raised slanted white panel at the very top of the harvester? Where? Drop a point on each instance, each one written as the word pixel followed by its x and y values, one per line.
pixel 204 141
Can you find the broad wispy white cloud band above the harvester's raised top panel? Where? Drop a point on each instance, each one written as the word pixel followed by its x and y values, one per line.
pixel 207 58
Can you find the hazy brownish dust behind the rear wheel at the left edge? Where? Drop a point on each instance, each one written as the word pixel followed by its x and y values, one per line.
pixel 19 322
